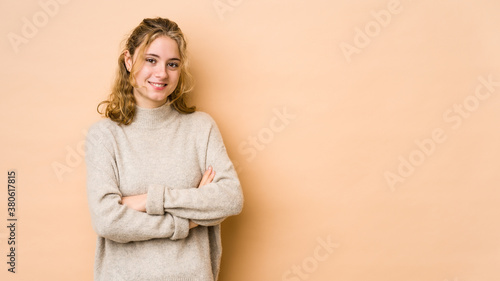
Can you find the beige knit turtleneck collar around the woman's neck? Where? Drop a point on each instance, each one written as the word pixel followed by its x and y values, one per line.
pixel 153 117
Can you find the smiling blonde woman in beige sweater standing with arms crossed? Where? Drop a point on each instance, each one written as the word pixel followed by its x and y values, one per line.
pixel 159 180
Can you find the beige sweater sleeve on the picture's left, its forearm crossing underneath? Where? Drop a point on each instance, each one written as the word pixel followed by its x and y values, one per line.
pixel 110 219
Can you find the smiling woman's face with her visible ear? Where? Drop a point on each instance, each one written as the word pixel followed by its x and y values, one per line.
pixel 159 75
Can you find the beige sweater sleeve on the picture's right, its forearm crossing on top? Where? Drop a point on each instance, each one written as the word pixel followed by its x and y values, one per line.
pixel 211 203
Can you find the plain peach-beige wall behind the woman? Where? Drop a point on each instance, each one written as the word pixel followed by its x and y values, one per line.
pixel 358 105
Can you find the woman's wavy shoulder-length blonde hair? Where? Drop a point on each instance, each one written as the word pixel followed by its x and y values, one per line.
pixel 120 105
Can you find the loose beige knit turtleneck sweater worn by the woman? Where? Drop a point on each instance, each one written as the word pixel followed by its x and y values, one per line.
pixel 163 153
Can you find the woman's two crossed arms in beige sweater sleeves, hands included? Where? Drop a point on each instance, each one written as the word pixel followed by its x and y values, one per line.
pixel 163 212
